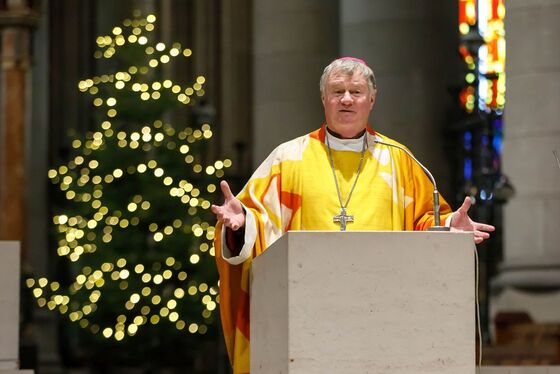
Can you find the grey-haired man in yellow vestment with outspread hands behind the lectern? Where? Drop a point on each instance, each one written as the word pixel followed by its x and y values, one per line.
pixel 335 178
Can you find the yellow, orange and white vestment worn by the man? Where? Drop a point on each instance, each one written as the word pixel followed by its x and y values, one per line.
pixel 294 189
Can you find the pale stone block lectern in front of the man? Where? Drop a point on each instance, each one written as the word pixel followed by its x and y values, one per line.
pixel 364 302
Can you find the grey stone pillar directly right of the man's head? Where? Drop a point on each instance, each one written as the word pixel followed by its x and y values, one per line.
pixel 412 48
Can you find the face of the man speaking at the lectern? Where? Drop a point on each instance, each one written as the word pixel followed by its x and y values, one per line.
pixel 347 101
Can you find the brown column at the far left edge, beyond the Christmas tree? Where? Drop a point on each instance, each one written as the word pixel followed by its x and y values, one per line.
pixel 16 21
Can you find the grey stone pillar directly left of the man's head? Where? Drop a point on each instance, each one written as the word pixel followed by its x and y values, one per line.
pixel 292 42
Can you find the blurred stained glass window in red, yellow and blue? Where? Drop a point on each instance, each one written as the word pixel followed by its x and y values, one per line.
pixel 483 49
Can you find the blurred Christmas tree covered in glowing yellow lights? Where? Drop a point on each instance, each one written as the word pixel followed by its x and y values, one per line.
pixel 133 225
